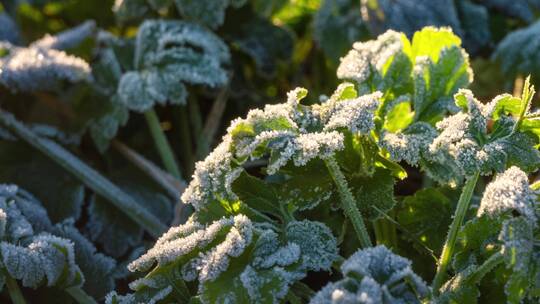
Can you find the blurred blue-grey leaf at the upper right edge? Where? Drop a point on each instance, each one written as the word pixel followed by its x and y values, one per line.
pixel 517 52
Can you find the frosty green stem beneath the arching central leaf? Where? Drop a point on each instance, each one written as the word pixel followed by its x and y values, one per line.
pixel 348 202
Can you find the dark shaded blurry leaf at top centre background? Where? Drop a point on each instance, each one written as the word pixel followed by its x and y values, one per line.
pixel 263 41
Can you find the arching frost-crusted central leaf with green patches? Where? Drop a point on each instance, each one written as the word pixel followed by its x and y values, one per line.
pixel 286 132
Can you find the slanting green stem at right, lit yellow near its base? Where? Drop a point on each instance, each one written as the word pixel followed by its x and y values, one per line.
pixel 449 245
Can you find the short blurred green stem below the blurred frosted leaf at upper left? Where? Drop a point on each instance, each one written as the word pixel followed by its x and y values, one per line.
pixel 162 145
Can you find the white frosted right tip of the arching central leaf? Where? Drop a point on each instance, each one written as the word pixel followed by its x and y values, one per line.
pixel 354 114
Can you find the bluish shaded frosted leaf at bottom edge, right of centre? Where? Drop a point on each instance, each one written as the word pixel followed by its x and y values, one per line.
pixel 374 275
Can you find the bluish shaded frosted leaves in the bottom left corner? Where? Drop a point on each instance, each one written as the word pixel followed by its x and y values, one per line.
pixel 31 257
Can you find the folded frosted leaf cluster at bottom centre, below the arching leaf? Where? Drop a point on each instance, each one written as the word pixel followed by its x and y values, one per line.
pixel 264 266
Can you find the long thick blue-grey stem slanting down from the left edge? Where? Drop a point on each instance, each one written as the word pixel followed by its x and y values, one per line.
pixel 87 175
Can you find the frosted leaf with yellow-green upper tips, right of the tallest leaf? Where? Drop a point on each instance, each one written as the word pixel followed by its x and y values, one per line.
pixel 466 145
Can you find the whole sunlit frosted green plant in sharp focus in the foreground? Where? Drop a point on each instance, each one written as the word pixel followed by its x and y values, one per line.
pixel 326 172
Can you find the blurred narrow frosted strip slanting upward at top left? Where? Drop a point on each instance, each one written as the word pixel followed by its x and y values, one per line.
pixel 66 39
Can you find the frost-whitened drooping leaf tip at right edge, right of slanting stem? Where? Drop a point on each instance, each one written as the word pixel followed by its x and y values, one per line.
pixel 509 192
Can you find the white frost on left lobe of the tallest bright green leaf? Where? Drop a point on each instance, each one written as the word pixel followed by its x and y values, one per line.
pixel 359 62
